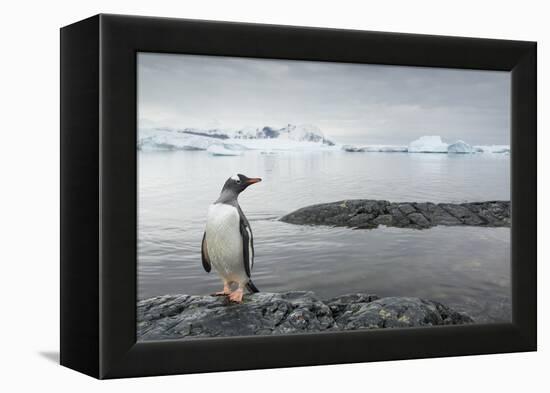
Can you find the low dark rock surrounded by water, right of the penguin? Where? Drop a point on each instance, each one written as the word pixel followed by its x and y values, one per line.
pixel 367 214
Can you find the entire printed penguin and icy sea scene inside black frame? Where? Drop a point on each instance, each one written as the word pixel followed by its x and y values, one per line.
pixel 294 197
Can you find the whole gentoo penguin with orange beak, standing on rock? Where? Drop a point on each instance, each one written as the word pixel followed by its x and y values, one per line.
pixel 227 243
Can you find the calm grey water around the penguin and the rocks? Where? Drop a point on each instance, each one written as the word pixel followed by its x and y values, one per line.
pixel 466 268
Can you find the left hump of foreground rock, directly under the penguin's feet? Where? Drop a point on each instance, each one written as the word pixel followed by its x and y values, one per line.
pixel 181 316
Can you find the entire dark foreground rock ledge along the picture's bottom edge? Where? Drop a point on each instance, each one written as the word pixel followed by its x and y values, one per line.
pixel 184 316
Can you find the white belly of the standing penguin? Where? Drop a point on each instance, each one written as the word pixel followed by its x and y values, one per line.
pixel 224 242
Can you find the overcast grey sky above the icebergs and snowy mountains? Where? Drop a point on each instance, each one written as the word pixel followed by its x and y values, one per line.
pixel 349 102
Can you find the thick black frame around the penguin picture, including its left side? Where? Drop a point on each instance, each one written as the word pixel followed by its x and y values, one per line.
pixel 98 195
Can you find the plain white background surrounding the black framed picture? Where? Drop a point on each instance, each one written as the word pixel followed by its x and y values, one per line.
pixel 29 192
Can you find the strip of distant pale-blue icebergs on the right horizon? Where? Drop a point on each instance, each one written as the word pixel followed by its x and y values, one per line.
pixel 429 144
